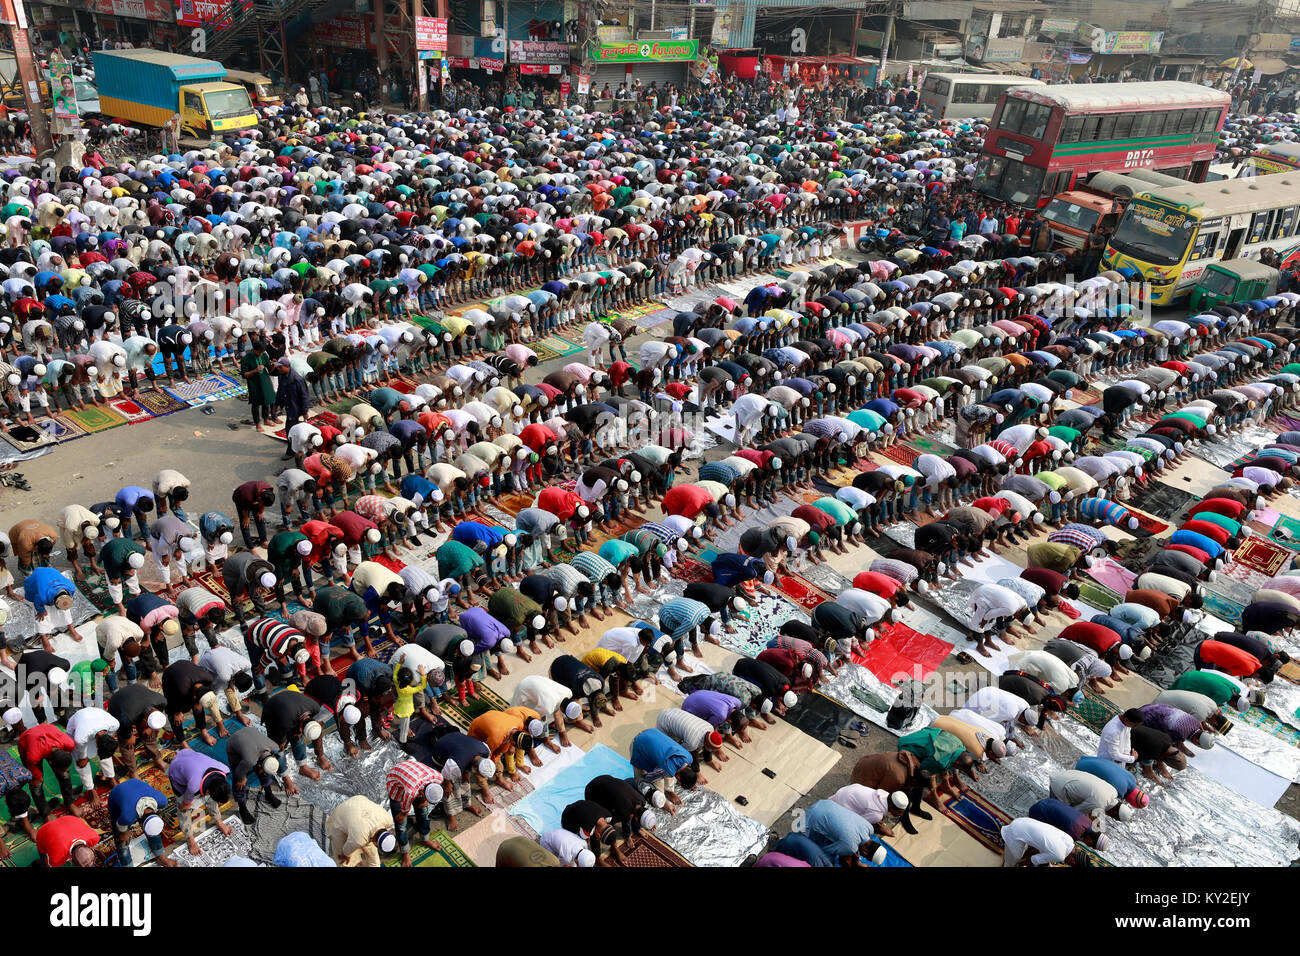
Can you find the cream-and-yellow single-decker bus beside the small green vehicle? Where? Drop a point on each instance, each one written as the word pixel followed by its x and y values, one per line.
pixel 1171 235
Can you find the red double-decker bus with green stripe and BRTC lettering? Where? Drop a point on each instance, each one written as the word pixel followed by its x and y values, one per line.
pixel 1045 140
